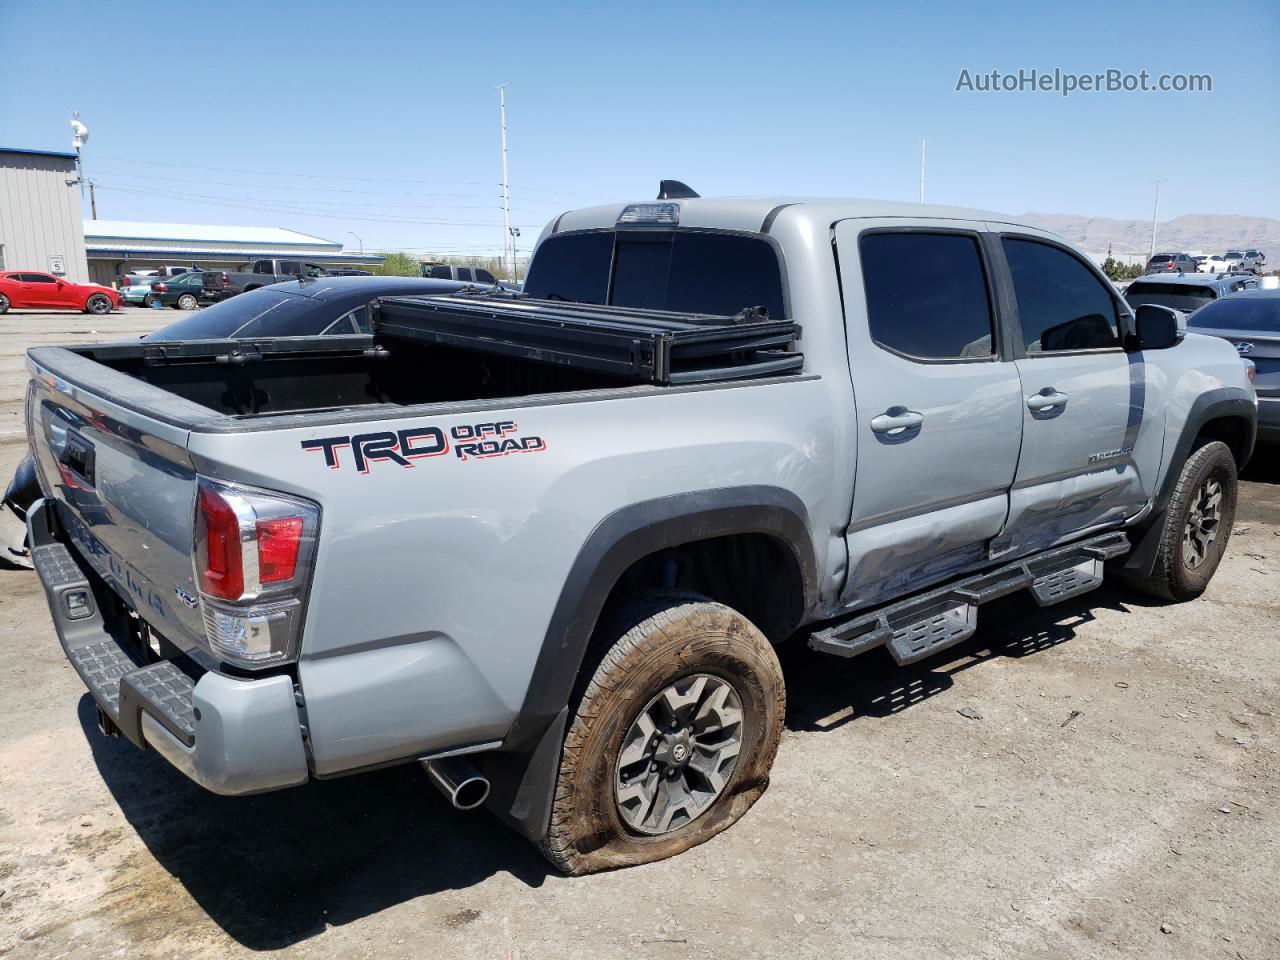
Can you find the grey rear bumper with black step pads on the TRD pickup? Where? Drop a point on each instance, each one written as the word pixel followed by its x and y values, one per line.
pixel 230 735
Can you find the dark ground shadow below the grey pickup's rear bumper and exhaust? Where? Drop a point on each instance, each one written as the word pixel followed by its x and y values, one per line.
pixel 280 868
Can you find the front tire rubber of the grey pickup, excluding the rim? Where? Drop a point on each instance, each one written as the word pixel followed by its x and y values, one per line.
pixel 1172 579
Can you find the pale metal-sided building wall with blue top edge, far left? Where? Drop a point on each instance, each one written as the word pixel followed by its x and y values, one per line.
pixel 40 216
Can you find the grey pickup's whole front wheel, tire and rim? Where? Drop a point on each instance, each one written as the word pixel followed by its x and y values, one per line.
pixel 1196 527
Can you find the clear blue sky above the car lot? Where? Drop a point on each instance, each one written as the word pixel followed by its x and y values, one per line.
pixel 381 120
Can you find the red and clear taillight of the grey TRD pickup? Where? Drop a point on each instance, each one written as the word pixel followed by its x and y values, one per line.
pixel 253 566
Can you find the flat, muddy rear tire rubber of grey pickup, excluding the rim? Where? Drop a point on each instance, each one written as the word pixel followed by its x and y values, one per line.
pixel 651 644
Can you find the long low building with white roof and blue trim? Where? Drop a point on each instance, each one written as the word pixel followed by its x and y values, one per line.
pixel 120 246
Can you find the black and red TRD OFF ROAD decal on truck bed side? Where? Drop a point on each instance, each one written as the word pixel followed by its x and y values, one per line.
pixel 403 447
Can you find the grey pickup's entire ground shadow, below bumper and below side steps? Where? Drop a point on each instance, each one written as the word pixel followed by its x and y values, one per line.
pixel 277 870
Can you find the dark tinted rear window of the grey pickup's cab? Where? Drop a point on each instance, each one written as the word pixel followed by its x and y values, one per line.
pixel 679 271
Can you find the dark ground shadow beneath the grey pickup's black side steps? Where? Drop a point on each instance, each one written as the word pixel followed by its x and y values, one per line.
pixel 838 692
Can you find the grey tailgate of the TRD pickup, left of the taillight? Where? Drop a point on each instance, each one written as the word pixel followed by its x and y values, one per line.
pixel 124 483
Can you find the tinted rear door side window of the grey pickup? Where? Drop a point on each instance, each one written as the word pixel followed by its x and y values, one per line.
pixel 949 318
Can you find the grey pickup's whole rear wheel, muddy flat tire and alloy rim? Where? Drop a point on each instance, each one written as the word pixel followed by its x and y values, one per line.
pixel 673 740
